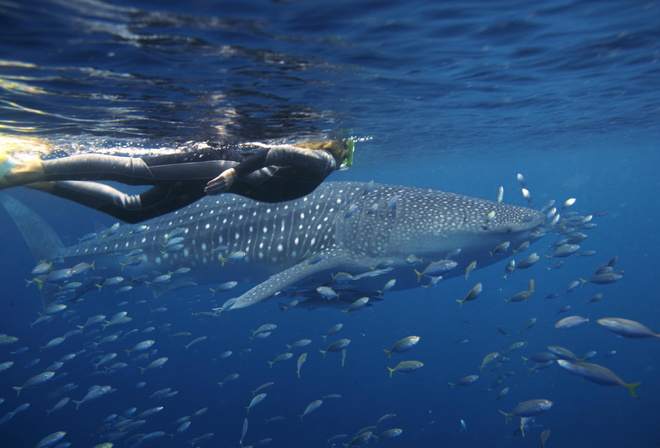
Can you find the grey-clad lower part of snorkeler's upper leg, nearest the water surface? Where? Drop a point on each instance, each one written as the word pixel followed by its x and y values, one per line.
pixel 128 170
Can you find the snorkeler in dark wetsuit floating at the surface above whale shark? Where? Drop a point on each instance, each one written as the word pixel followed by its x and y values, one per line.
pixel 267 173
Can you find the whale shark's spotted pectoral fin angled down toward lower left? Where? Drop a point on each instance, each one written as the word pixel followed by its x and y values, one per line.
pixel 321 261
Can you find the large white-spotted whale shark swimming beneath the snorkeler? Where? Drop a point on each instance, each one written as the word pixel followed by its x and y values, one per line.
pixel 365 230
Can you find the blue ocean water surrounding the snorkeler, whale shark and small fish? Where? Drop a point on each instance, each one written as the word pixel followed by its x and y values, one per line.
pixel 453 96
